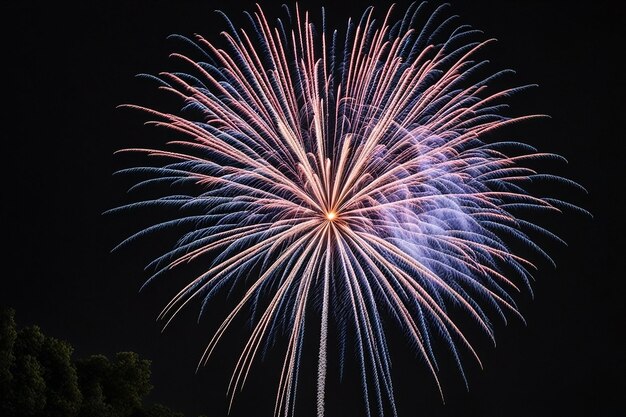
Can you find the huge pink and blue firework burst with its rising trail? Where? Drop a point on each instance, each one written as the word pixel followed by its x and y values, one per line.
pixel 347 172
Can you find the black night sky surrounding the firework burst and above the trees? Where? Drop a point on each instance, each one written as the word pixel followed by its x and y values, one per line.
pixel 64 71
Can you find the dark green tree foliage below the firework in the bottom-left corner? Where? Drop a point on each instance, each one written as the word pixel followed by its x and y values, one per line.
pixel 39 378
